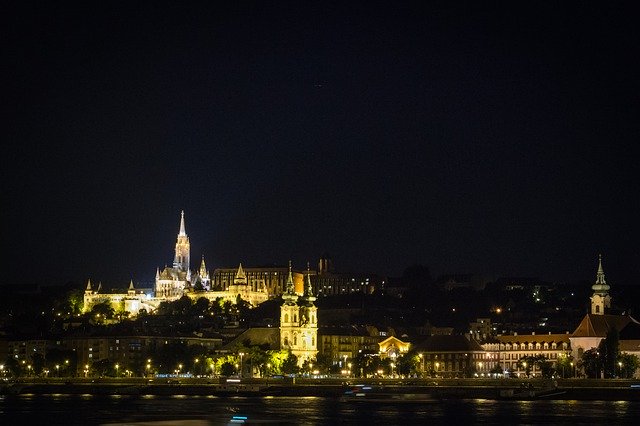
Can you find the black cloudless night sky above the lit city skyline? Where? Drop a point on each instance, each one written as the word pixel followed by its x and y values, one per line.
pixel 480 137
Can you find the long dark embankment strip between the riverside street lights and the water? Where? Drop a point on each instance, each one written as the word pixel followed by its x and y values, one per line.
pixel 568 389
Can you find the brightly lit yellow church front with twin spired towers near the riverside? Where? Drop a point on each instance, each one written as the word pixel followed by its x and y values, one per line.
pixel 299 321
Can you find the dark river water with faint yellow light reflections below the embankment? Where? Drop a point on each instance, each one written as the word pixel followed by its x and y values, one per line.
pixel 211 411
